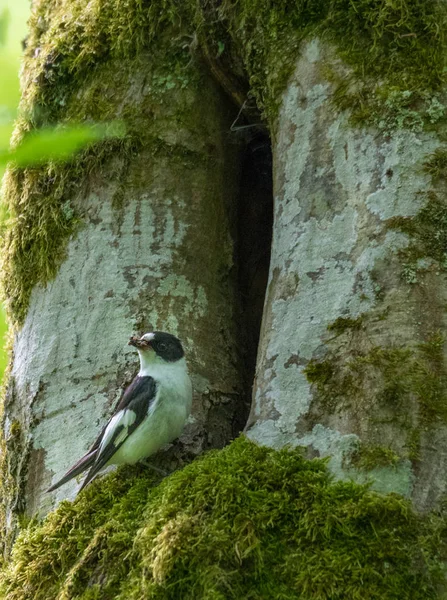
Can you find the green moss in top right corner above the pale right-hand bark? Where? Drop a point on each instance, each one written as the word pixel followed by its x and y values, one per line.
pixel 397 74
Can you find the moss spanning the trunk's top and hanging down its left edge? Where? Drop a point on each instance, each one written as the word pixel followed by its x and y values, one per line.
pixel 78 51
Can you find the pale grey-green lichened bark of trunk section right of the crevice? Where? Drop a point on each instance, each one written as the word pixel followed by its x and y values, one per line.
pixel 351 358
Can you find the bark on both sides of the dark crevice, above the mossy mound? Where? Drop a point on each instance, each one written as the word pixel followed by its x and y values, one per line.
pixel 351 354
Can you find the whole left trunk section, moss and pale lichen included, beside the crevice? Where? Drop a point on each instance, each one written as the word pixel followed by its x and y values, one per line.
pixel 132 235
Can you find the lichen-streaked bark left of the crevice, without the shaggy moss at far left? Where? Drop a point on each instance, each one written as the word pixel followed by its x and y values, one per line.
pixel 153 251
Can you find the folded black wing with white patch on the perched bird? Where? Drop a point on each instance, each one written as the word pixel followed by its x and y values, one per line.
pixel 130 412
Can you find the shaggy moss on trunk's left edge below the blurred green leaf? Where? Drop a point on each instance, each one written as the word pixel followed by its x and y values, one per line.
pixel 42 218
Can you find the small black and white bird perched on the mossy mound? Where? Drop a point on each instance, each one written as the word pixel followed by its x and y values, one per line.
pixel 151 413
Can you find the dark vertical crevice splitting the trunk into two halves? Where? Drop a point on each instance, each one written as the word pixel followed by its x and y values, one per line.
pixel 254 216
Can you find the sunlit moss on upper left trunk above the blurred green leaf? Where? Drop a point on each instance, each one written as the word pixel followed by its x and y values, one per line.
pixel 70 43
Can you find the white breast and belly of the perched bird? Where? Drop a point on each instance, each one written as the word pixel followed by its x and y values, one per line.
pixel 166 416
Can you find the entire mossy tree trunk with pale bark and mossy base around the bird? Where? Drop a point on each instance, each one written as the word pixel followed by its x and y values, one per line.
pixel 138 233
